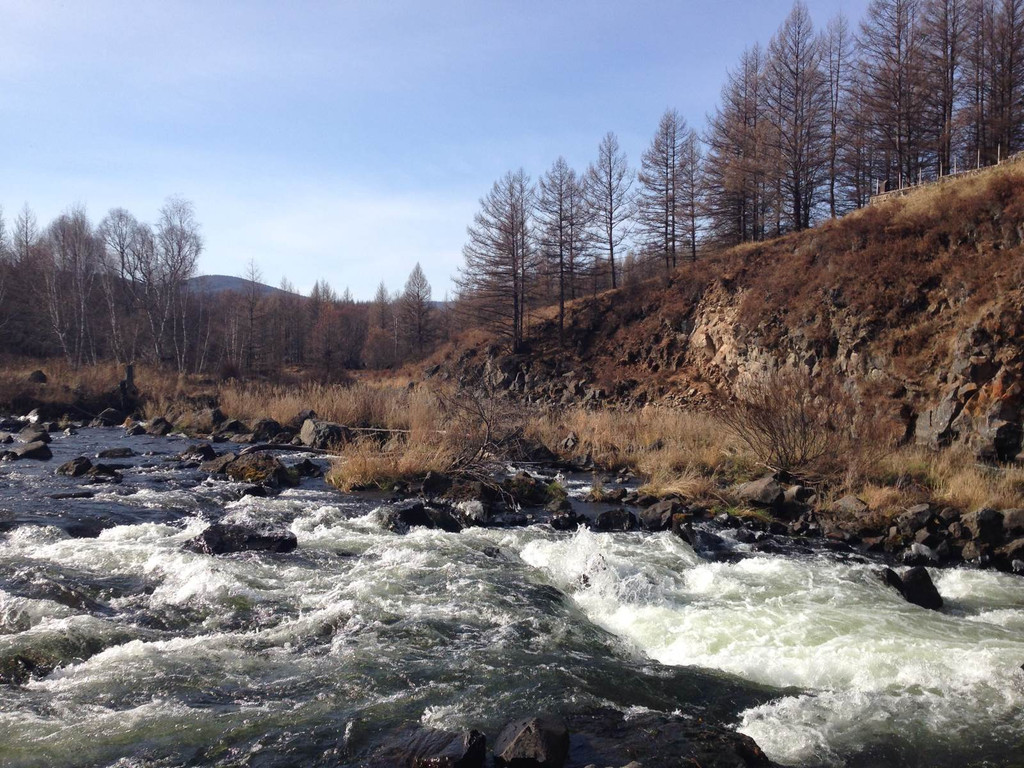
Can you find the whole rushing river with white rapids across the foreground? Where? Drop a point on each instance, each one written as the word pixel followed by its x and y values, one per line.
pixel 149 655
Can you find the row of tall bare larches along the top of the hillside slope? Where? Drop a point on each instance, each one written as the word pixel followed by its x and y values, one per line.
pixel 807 129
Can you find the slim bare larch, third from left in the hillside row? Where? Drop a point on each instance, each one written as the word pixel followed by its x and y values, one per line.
pixel 610 184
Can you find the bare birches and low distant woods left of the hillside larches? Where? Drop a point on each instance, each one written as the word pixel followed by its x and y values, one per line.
pixel 123 290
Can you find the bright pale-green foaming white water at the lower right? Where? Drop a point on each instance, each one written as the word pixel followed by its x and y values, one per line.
pixel 884 682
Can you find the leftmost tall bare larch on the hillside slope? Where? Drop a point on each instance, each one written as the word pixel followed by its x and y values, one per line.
pixel 500 254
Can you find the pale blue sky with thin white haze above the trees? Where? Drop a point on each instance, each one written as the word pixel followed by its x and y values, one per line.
pixel 345 141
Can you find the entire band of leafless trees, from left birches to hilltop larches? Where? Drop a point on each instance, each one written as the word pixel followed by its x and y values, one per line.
pixel 807 130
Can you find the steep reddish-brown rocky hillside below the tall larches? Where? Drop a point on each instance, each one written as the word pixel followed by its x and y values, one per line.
pixel 915 303
